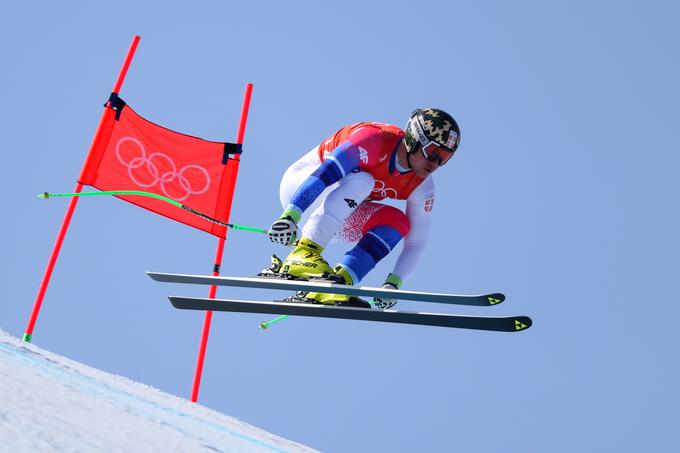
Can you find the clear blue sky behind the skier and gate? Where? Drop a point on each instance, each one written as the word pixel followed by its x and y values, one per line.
pixel 563 196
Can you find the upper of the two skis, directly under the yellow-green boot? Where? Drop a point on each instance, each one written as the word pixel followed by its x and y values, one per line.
pixel 326 287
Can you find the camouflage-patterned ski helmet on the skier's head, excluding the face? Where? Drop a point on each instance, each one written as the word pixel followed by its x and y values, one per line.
pixel 426 126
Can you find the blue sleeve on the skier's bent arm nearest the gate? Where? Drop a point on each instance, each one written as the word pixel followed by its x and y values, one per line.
pixel 341 161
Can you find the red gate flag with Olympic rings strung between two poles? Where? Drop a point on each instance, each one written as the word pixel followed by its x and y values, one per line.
pixel 132 153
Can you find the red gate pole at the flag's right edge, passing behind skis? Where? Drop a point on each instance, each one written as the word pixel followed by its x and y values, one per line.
pixel 218 254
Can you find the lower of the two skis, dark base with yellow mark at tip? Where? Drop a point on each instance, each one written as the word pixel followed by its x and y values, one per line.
pixel 499 324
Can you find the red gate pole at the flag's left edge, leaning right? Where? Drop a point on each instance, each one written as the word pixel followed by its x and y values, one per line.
pixel 72 204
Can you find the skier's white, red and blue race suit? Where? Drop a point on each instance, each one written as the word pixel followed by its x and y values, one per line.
pixel 354 168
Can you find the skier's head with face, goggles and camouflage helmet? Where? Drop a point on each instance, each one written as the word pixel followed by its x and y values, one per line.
pixel 435 132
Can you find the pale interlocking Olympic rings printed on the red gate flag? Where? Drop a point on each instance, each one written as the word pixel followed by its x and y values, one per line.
pixel 152 163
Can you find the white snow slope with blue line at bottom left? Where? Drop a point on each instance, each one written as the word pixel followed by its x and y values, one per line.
pixel 51 403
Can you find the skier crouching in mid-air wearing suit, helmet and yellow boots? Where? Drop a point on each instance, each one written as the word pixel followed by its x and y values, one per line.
pixel 350 172
